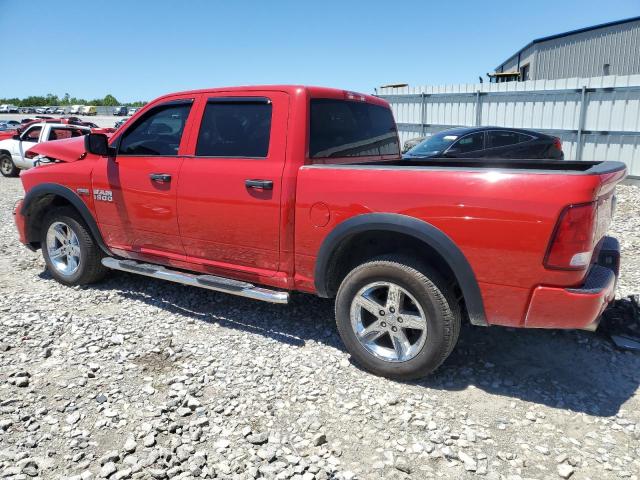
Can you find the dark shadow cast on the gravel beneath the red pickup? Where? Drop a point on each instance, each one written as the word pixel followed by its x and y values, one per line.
pixel 579 371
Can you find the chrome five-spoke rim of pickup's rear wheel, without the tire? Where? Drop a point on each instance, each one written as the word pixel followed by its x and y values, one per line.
pixel 388 322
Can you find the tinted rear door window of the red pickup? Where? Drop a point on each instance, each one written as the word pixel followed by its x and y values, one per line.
pixel 235 128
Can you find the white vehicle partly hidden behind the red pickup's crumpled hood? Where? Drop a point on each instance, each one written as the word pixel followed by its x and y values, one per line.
pixel 12 150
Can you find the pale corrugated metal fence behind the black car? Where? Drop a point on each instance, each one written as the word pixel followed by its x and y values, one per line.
pixel 597 118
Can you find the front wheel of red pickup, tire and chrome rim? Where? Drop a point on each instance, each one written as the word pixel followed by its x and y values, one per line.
pixel 71 254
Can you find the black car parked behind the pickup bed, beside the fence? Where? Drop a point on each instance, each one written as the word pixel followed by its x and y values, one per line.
pixel 488 142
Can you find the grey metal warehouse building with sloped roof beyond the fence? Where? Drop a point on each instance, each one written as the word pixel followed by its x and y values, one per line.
pixel 608 49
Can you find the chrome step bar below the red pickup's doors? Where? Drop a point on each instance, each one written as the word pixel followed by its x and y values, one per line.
pixel 209 282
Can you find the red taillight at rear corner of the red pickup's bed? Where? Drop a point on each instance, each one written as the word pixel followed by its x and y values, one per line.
pixel 572 241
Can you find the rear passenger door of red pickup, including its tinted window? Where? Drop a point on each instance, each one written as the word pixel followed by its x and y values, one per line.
pixel 230 184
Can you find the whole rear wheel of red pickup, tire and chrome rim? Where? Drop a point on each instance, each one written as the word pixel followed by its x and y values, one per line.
pixel 397 319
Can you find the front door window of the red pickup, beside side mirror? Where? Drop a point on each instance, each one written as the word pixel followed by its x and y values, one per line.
pixel 158 132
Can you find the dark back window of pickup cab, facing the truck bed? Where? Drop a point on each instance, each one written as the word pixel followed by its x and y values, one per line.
pixel 341 128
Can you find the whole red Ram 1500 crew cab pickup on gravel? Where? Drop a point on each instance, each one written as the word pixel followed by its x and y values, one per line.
pixel 258 191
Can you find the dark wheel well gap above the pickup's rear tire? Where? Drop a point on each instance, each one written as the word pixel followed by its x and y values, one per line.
pixel 364 246
